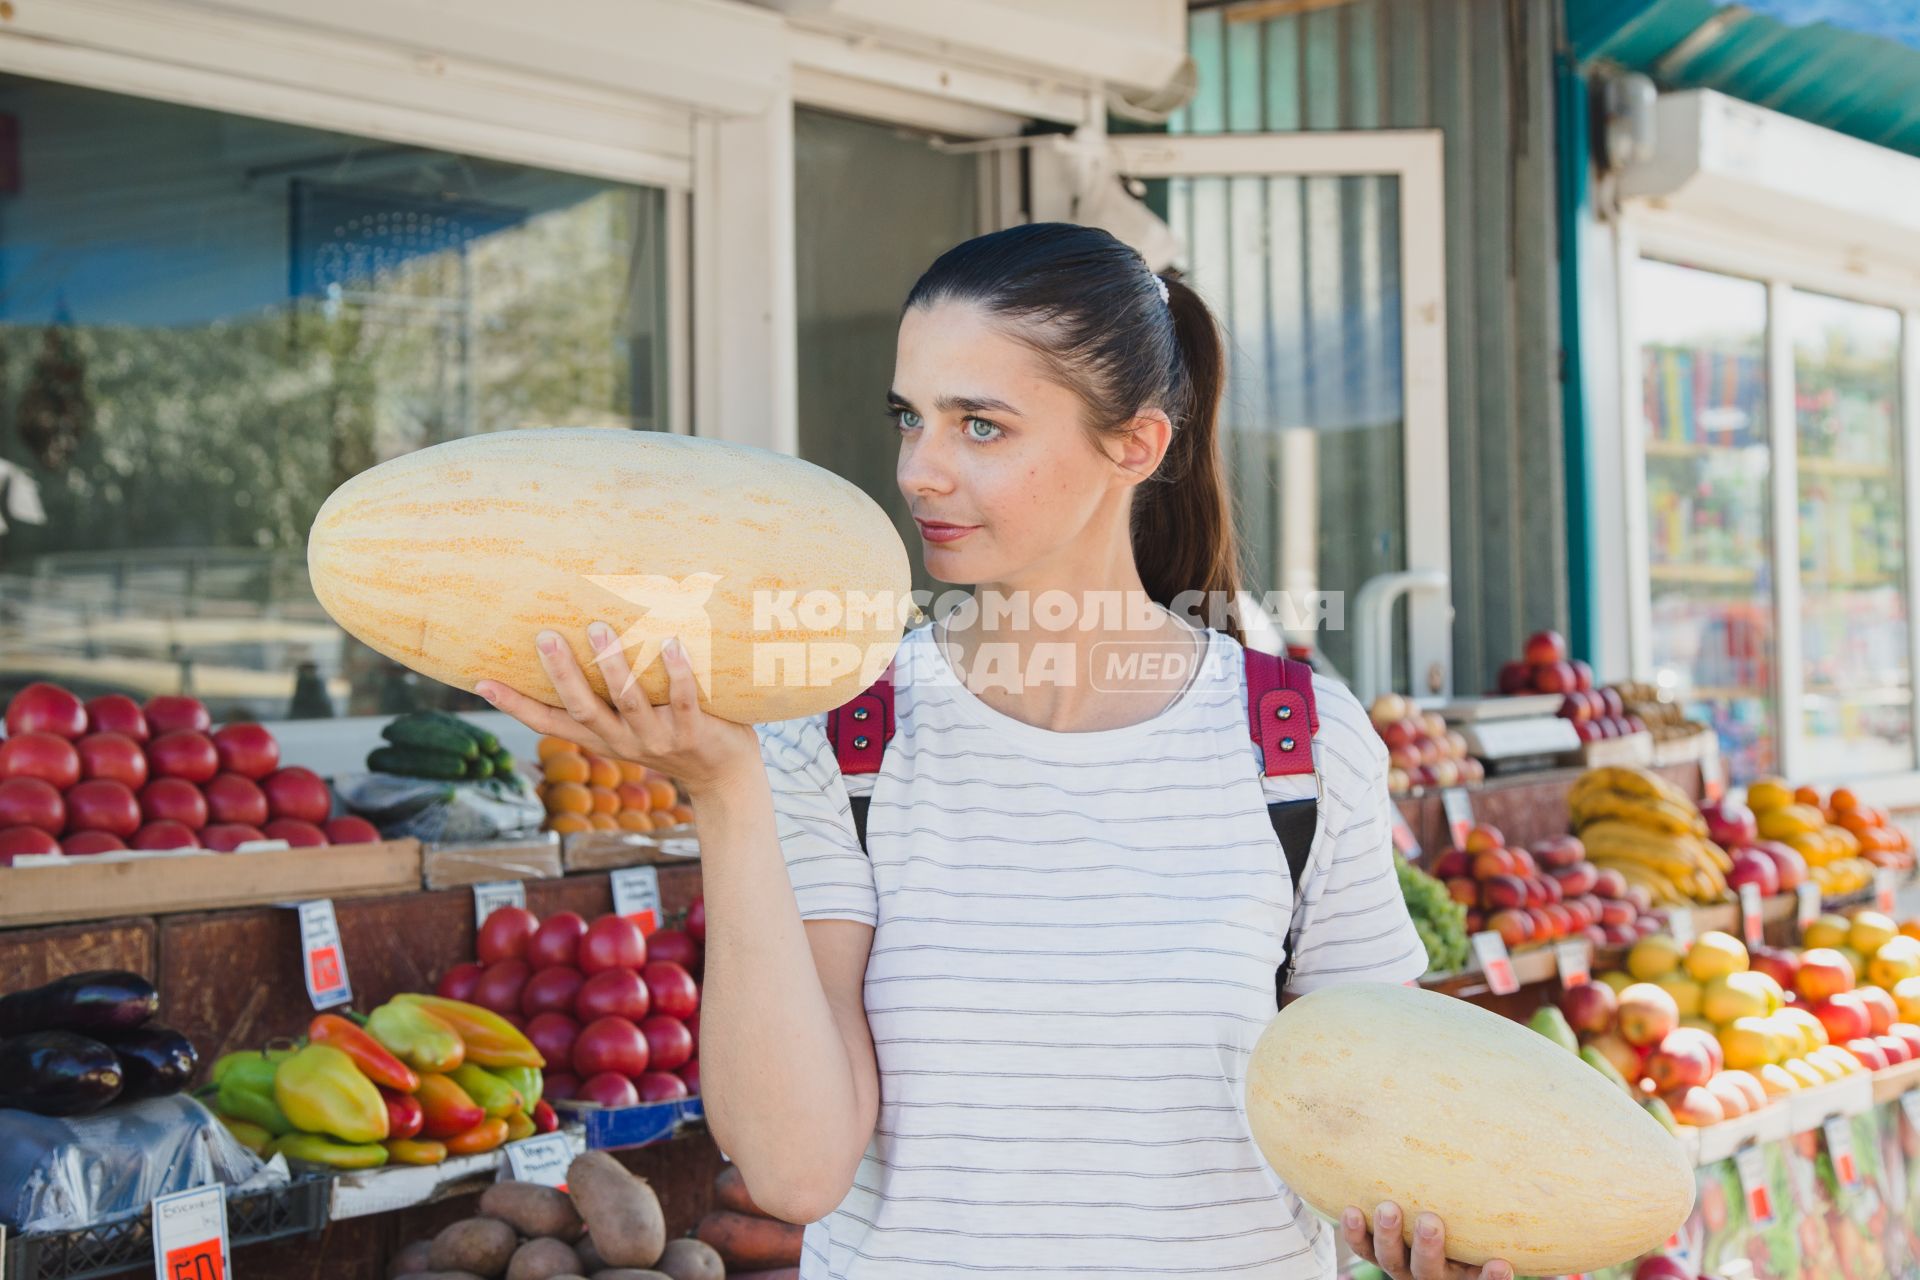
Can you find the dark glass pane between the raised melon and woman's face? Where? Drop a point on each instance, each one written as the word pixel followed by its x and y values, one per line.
pixel 875 206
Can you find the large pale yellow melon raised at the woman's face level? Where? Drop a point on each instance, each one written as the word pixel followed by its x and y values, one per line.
pixel 456 557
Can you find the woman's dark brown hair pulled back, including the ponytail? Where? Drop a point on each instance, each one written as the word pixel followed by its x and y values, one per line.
pixel 1092 308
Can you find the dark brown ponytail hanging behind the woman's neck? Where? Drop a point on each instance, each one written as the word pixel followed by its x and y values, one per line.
pixel 1184 519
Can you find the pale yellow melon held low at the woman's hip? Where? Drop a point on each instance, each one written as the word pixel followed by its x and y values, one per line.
pixel 1370 1093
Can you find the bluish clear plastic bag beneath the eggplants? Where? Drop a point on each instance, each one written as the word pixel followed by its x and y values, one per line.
pixel 87 1170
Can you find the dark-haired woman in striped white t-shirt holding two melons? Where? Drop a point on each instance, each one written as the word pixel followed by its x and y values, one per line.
pixel 1011 1033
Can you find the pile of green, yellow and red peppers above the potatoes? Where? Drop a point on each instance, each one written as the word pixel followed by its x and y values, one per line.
pixel 414 1083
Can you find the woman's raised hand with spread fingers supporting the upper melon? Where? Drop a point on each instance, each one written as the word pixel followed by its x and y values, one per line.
pixel 679 740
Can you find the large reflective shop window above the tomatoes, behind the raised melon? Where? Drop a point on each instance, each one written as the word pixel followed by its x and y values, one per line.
pixel 210 321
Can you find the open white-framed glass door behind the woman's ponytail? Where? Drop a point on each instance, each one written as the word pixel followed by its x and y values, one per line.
pixel 1324 258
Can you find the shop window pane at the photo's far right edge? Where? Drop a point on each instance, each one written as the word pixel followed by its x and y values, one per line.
pixel 1858 694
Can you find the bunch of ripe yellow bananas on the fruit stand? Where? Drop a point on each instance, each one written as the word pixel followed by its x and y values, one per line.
pixel 1648 830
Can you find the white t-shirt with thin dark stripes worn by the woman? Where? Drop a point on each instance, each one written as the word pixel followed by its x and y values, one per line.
pixel 1074 953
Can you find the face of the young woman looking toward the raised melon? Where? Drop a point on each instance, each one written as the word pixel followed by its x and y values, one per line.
pixel 997 465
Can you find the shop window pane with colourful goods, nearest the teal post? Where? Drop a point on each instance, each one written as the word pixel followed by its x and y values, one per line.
pixel 1710 460
